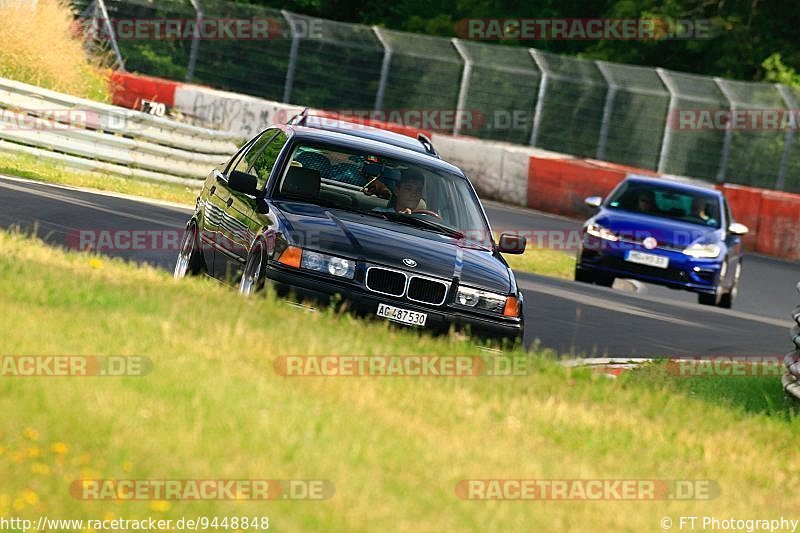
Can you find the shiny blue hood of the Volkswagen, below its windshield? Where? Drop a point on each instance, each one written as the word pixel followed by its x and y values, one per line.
pixel 665 231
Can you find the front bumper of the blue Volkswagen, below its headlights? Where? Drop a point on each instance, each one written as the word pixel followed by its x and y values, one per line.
pixel 683 271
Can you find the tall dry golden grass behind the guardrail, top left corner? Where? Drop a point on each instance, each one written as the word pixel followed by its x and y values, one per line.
pixel 38 46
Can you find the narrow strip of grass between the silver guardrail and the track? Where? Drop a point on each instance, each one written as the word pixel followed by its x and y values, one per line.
pixel 26 166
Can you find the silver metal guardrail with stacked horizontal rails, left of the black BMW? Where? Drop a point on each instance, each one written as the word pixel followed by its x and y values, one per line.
pixel 89 135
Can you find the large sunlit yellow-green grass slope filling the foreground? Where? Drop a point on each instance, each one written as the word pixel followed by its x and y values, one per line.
pixel 213 407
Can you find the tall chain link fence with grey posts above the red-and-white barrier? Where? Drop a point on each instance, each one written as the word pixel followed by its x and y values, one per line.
pixel 644 117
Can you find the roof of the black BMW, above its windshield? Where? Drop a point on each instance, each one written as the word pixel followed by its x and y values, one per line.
pixel 373 145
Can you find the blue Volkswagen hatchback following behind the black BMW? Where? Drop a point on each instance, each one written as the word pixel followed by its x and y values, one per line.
pixel 665 232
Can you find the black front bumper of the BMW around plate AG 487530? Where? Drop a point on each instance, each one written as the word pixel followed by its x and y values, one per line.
pixel 306 286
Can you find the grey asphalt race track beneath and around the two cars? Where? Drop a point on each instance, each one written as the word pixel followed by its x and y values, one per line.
pixel 571 318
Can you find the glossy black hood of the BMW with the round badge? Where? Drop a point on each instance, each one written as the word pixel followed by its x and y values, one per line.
pixel 375 240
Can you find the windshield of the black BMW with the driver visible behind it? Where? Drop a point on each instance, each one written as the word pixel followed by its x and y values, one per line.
pixel 396 190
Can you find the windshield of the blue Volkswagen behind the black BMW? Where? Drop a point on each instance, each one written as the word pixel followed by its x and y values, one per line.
pixel 694 207
